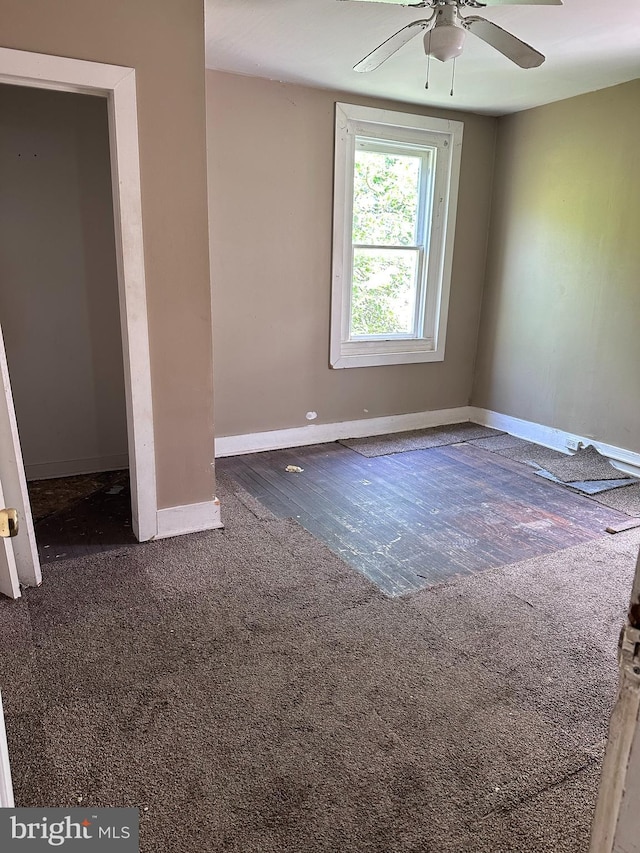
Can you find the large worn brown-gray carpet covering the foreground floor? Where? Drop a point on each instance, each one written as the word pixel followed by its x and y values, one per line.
pixel 251 693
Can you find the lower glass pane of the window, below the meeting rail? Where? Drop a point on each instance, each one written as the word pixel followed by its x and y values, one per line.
pixel 383 295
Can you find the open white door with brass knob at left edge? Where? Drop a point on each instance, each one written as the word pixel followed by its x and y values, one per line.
pixel 19 563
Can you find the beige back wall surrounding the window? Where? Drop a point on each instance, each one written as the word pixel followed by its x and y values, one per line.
pixel 271 185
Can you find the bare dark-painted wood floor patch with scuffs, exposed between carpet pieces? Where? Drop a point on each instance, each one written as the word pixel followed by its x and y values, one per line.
pixel 412 520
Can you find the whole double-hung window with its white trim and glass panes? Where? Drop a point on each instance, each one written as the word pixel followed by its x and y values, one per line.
pixel 394 216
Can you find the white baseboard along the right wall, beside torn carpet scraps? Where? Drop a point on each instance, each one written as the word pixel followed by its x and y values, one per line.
pixel 626 461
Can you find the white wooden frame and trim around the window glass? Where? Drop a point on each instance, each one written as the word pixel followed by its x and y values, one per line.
pixel 444 137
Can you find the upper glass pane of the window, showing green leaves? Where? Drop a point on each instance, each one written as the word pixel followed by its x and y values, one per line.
pixel 386 197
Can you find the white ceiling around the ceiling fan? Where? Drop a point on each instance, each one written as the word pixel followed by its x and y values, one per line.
pixel 589 44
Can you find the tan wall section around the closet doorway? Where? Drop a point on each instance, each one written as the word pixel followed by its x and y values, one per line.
pixel 164 41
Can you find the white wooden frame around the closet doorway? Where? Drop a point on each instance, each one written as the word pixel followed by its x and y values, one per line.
pixel 118 85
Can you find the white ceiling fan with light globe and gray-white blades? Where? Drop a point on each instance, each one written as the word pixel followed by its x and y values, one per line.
pixel 446 28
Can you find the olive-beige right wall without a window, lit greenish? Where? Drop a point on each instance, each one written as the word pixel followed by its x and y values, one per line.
pixel 559 340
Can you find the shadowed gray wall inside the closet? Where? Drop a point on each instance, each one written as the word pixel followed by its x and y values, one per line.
pixel 58 282
